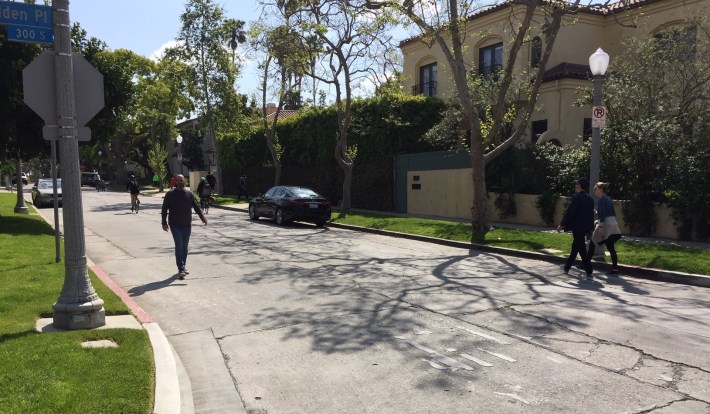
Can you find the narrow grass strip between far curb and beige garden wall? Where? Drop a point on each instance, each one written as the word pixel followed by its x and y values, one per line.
pixel 664 257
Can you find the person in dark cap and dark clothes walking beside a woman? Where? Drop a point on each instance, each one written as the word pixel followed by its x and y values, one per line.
pixel 579 218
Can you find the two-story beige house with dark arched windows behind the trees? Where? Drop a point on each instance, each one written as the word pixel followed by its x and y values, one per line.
pixel 556 119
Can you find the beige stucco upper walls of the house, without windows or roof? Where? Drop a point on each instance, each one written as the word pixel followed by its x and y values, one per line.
pixel 579 37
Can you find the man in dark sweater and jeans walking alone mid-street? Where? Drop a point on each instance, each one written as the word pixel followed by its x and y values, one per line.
pixel 176 215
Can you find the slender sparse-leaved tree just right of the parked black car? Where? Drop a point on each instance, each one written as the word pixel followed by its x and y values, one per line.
pixel 352 41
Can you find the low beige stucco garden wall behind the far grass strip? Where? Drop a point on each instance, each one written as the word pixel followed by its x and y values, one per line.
pixel 449 193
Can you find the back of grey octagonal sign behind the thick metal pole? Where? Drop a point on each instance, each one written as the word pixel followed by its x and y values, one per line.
pixel 38 79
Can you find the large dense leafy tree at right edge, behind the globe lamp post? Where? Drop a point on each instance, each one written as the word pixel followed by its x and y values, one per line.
pixel 657 148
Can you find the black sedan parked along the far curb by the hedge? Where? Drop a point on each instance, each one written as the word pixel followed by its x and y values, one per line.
pixel 288 203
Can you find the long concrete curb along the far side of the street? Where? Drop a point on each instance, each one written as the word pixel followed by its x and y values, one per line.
pixel 628 270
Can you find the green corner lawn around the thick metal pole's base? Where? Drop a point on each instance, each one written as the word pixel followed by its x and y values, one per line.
pixel 51 372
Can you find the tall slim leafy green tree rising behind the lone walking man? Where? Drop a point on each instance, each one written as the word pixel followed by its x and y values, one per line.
pixel 201 46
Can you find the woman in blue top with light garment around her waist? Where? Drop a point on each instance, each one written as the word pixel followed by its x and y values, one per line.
pixel 607 231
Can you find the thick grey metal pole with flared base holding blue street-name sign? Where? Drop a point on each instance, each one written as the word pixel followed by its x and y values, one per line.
pixel 78 306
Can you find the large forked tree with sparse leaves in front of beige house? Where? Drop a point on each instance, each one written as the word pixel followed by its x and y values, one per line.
pixel 489 120
